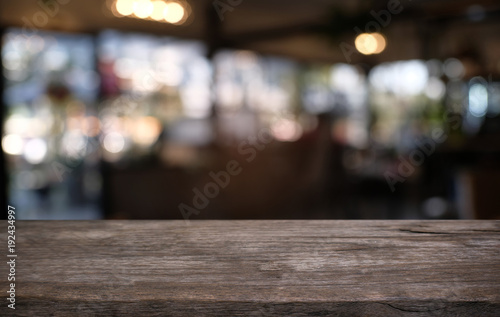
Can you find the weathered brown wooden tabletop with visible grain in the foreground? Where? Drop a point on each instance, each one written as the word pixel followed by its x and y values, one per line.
pixel 256 268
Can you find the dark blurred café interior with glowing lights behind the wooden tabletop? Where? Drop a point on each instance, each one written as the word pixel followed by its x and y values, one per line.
pixel 251 109
